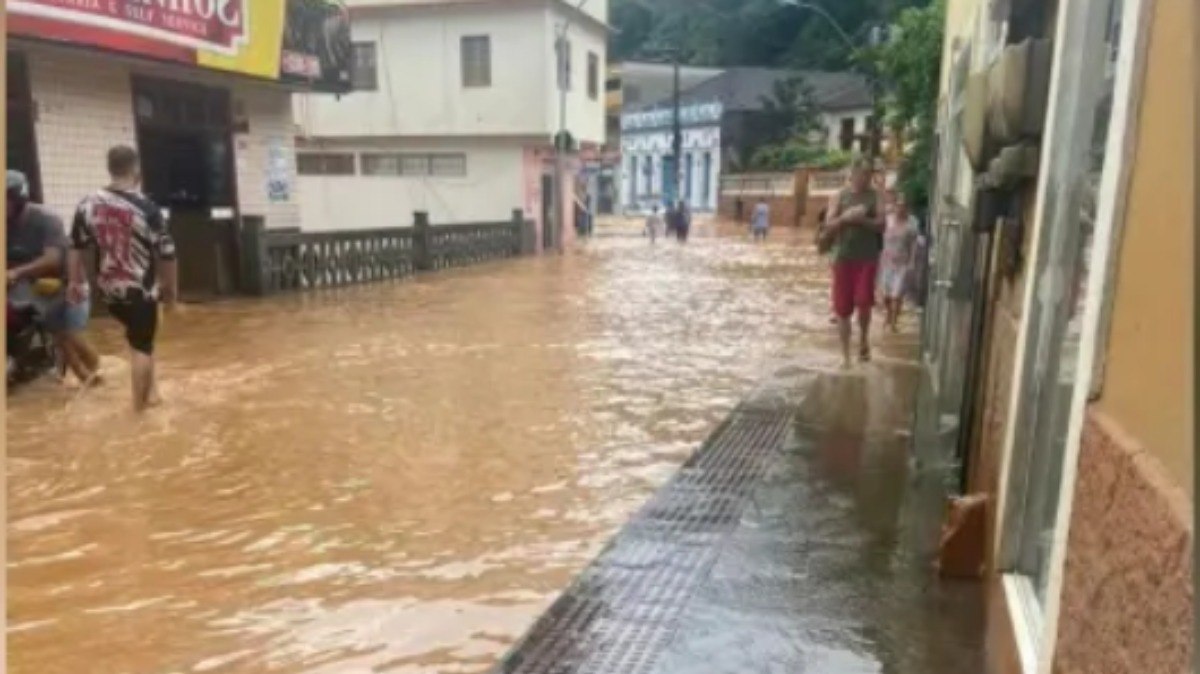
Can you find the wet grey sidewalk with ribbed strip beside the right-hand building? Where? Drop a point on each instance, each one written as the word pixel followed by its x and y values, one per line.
pixel 795 541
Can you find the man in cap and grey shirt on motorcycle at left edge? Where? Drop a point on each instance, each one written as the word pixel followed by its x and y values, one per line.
pixel 37 275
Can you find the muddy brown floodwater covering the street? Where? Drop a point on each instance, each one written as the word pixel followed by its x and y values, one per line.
pixel 389 478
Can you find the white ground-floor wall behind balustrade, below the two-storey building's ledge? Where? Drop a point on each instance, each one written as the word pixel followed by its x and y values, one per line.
pixel 493 188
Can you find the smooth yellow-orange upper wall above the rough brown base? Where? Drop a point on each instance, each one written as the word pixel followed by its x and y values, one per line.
pixel 1148 388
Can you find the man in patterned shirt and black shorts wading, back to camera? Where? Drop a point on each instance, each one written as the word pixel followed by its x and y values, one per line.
pixel 135 250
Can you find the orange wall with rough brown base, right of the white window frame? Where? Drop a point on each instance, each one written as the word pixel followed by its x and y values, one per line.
pixel 1129 586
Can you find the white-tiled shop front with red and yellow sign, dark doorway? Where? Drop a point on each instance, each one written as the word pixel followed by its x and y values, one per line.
pixel 211 117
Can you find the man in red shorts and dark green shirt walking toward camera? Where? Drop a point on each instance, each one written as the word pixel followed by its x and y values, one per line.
pixel 856 228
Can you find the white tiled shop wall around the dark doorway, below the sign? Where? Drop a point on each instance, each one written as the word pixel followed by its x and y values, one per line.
pixel 85 106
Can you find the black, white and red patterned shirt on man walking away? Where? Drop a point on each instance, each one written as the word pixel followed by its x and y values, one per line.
pixel 130 233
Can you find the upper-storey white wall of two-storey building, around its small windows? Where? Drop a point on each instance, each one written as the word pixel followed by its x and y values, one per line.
pixel 421 91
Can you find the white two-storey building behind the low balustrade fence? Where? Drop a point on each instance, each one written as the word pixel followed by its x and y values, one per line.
pixel 454 113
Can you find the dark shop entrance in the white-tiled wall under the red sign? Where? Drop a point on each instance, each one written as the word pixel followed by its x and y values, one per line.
pixel 185 140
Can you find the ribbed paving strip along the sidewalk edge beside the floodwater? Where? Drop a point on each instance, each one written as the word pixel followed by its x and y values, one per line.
pixel 622 611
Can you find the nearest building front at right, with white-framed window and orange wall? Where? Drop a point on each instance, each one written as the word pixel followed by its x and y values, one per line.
pixel 1059 342
